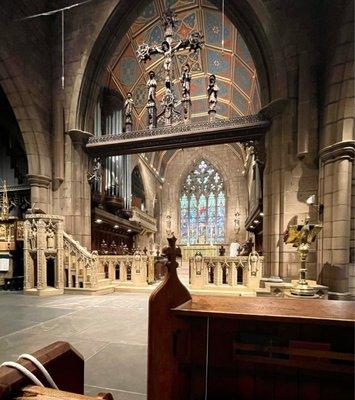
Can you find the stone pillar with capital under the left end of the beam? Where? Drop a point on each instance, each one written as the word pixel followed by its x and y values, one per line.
pixel 81 212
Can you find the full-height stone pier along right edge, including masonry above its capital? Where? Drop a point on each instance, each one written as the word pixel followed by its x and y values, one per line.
pixel 336 261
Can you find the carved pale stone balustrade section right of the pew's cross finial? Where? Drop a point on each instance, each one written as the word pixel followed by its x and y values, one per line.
pixel 241 274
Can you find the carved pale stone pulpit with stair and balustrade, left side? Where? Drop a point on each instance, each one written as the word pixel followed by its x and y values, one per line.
pixel 56 263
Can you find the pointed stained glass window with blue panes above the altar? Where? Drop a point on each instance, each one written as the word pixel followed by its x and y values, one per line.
pixel 202 206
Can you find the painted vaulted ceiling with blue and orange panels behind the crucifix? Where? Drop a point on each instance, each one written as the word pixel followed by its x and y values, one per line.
pixel 232 65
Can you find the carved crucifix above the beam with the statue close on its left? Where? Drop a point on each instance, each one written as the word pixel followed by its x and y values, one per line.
pixel 168 48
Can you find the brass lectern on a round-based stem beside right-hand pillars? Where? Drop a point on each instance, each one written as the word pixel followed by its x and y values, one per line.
pixel 301 236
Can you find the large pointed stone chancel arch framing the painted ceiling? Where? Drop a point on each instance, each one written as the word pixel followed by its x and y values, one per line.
pixel 250 16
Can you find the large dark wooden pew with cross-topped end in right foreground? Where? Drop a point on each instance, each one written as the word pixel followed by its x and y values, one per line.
pixel 247 348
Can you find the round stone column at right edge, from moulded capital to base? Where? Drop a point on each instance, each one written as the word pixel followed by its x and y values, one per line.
pixel 335 184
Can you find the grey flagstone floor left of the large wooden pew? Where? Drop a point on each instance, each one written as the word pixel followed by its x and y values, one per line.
pixel 110 331
